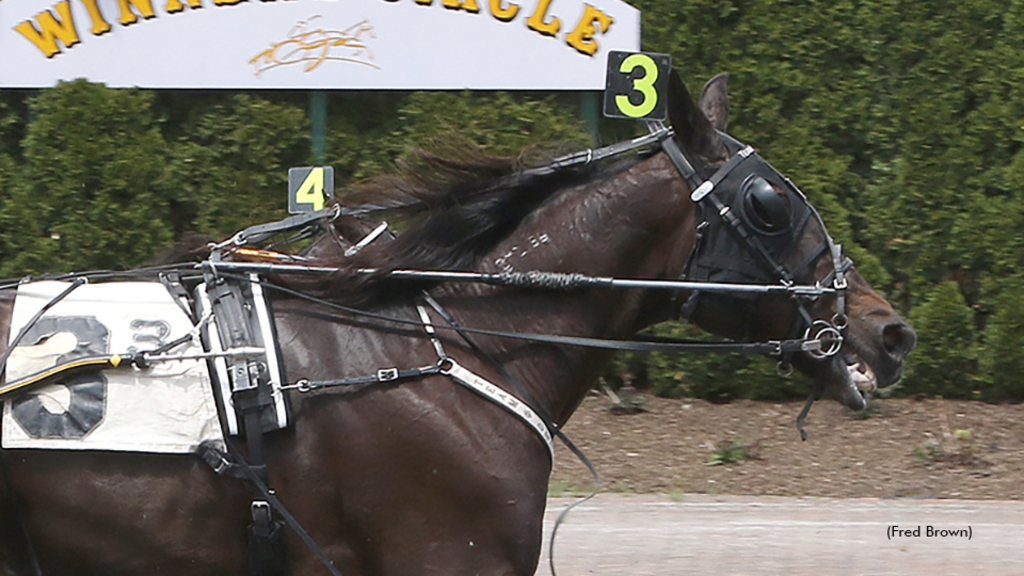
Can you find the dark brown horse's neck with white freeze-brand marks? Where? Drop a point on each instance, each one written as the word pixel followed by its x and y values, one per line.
pixel 638 224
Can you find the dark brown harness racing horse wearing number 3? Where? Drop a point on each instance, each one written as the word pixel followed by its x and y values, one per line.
pixel 424 477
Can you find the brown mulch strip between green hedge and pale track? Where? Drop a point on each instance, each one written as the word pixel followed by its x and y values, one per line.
pixel 906 449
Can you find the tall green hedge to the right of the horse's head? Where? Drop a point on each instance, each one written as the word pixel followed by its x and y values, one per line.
pixel 904 125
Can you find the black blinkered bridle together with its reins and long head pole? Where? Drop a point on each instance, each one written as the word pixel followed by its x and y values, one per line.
pixel 722 225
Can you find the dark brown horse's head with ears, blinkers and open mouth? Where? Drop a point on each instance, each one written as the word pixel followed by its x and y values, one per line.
pixel 777 236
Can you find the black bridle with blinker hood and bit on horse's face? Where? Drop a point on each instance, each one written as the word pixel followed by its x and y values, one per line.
pixel 747 214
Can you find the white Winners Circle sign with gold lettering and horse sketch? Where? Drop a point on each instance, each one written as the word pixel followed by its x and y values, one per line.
pixel 361 45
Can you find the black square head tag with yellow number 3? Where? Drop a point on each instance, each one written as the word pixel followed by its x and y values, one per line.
pixel 636 86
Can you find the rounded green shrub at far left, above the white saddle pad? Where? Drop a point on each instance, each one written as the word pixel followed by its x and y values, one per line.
pixel 91 194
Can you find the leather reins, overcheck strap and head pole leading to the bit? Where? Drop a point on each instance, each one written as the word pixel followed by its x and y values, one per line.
pixel 820 339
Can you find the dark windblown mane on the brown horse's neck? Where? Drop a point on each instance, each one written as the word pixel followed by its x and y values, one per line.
pixel 452 211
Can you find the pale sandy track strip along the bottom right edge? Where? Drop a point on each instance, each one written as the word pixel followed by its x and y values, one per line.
pixel 648 536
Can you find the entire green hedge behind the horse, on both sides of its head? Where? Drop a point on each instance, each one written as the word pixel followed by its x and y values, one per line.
pixel 904 124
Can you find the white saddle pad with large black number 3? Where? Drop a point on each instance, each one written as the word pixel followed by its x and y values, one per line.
pixel 168 407
